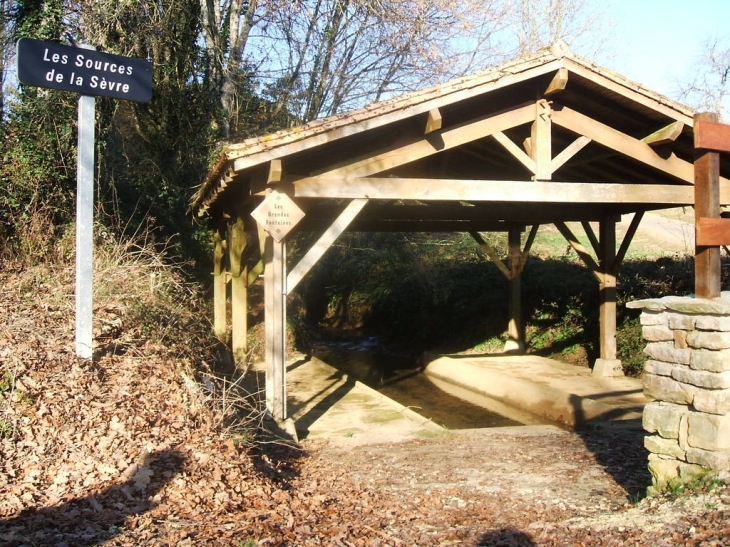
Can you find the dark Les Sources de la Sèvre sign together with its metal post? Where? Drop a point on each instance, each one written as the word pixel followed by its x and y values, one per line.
pixel 88 72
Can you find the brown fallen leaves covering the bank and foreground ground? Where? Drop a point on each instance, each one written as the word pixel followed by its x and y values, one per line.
pixel 123 451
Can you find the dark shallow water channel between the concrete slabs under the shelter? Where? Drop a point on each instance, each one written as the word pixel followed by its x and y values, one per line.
pixel 399 377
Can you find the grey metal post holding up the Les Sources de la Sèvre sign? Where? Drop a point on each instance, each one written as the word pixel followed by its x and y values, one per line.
pixel 85 224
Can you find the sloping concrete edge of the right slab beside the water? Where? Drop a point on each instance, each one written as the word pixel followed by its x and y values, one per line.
pixel 544 401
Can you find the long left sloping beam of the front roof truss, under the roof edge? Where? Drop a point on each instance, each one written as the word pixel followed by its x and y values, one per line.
pixel 390 158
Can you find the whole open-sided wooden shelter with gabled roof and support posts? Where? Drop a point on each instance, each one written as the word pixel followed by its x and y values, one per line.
pixel 548 139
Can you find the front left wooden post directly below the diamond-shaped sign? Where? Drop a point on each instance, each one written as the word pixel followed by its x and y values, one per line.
pixel 275 328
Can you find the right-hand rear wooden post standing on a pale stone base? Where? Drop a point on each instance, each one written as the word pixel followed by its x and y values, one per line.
pixel 607 364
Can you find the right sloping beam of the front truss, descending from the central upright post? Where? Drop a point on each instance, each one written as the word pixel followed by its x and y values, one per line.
pixel 622 143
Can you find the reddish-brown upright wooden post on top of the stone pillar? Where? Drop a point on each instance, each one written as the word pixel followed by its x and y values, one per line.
pixel 707 205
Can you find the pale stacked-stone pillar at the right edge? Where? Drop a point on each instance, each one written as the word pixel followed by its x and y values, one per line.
pixel 688 376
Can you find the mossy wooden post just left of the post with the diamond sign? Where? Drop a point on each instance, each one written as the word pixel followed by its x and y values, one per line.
pixel 239 291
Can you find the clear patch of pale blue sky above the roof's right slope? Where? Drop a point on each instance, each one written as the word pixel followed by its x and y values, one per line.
pixel 658 42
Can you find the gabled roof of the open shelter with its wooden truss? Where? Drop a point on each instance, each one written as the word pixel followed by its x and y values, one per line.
pixel 549 137
